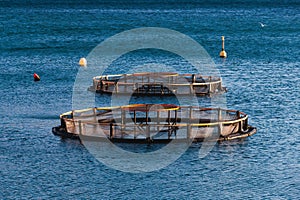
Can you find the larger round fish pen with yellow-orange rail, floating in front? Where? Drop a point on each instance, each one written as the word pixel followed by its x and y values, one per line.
pixel 154 123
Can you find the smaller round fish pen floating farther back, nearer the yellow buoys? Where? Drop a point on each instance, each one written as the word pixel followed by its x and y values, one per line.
pixel 157 83
